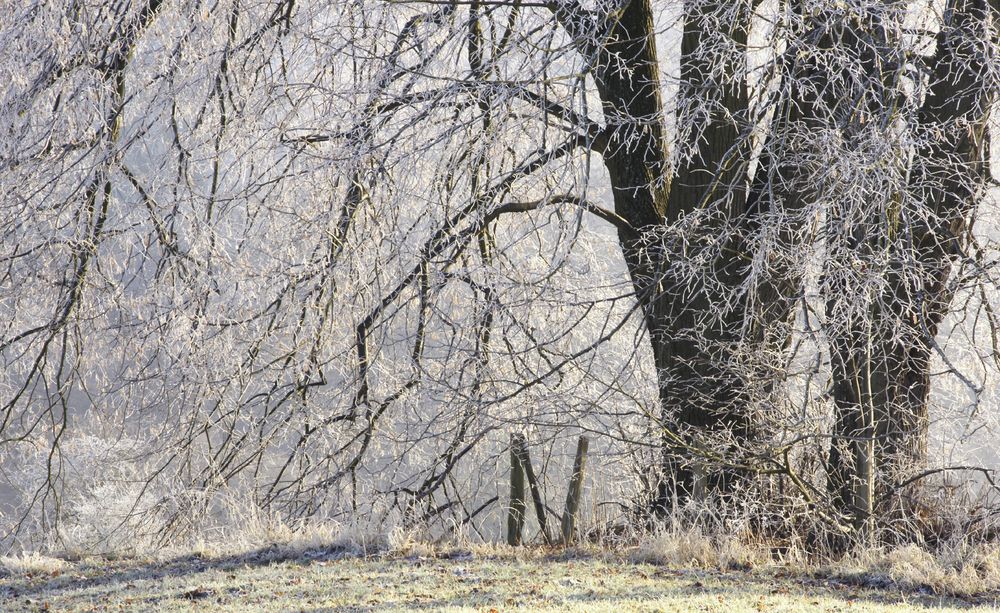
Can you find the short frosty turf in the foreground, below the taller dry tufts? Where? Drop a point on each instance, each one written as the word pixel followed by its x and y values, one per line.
pixel 324 580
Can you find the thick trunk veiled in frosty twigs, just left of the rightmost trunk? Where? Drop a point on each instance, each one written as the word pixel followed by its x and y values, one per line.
pixel 855 235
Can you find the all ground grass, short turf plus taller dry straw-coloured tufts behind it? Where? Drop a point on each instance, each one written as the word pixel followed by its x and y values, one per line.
pixel 332 567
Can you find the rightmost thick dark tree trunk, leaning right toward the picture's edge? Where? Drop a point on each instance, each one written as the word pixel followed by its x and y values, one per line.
pixel 950 170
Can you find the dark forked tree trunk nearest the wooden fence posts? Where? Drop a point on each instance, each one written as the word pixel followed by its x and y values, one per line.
pixel 696 391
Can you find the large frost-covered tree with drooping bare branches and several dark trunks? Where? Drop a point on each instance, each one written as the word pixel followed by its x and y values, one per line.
pixel 329 255
